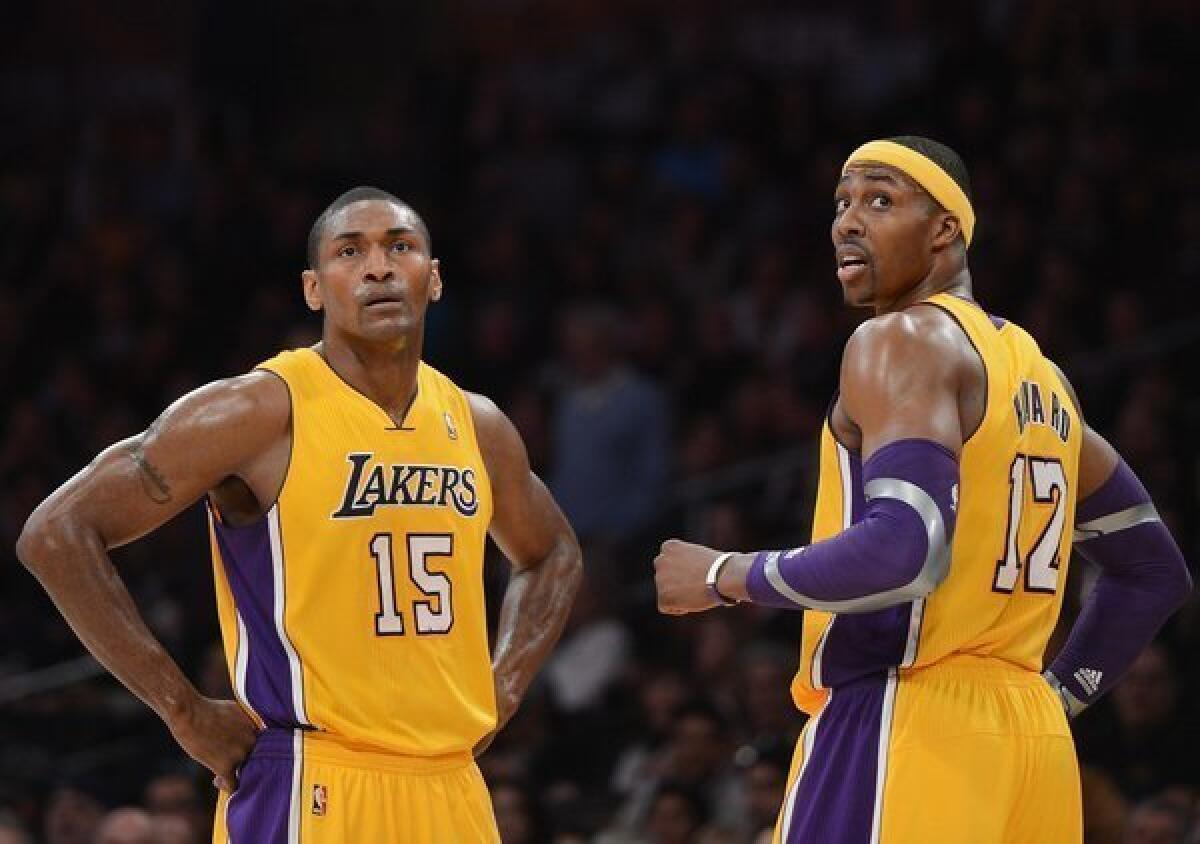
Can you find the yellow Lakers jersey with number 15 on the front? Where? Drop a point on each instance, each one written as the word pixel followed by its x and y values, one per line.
pixel 356 606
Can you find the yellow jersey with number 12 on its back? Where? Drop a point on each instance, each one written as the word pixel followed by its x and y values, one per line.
pixel 1012 541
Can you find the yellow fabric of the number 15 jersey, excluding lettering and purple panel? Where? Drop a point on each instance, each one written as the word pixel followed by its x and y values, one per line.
pixel 410 693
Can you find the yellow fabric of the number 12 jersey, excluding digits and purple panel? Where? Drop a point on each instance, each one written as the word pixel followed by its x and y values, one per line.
pixel 965 614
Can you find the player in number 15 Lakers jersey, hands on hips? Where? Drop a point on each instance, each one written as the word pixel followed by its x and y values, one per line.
pixel 351 489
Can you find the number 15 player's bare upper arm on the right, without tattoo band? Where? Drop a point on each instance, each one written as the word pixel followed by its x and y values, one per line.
pixel 526 520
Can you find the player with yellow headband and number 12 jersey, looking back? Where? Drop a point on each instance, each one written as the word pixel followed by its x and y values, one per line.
pixel 957 471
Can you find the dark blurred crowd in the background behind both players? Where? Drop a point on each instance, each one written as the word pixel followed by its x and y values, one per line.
pixel 632 205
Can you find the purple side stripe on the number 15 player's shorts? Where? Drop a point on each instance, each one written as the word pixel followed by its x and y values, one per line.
pixel 261 807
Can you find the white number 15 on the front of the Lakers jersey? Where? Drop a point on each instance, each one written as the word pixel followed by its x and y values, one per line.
pixel 431 616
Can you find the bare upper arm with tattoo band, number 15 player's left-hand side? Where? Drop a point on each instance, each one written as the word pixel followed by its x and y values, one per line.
pixel 139 484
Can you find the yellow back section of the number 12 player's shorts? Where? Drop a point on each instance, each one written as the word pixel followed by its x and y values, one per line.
pixel 989 743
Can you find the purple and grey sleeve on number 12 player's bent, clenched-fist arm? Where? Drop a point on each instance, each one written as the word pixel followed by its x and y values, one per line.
pixel 899 550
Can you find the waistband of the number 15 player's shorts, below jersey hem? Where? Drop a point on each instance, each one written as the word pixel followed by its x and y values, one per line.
pixel 325 747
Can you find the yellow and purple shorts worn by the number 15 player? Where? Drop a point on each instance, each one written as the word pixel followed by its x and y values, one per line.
pixel 303 787
